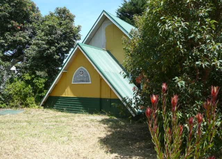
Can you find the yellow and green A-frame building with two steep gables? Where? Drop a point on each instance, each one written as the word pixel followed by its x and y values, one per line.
pixel 92 78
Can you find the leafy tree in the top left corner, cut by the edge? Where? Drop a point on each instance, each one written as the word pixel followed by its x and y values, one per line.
pixel 17 28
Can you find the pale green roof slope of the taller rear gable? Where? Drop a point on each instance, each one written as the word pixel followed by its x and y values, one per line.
pixel 124 25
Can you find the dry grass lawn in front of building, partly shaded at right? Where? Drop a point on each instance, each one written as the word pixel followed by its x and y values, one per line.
pixel 42 133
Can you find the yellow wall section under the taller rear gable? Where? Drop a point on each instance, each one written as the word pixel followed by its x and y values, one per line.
pixel 114 37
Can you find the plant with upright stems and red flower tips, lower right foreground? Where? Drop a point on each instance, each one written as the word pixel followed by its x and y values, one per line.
pixel 174 131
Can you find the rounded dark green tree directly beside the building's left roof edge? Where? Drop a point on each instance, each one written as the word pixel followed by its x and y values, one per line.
pixel 56 35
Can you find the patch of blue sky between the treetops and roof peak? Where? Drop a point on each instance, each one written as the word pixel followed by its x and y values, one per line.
pixel 86 11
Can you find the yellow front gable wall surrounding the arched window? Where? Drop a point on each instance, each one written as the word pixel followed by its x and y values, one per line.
pixel 97 89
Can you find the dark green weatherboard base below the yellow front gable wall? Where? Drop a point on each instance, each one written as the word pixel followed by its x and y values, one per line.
pixel 87 105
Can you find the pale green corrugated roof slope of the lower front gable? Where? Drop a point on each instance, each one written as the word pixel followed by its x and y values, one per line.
pixel 110 70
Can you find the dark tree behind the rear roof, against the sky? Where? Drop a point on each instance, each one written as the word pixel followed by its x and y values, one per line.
pixel 131 8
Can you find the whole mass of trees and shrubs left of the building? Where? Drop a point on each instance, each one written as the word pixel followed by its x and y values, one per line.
pixel 37 45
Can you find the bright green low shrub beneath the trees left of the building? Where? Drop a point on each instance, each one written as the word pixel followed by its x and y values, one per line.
pixel 25 91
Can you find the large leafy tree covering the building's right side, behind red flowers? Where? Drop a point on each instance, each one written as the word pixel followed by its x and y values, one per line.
pixel 180 43
